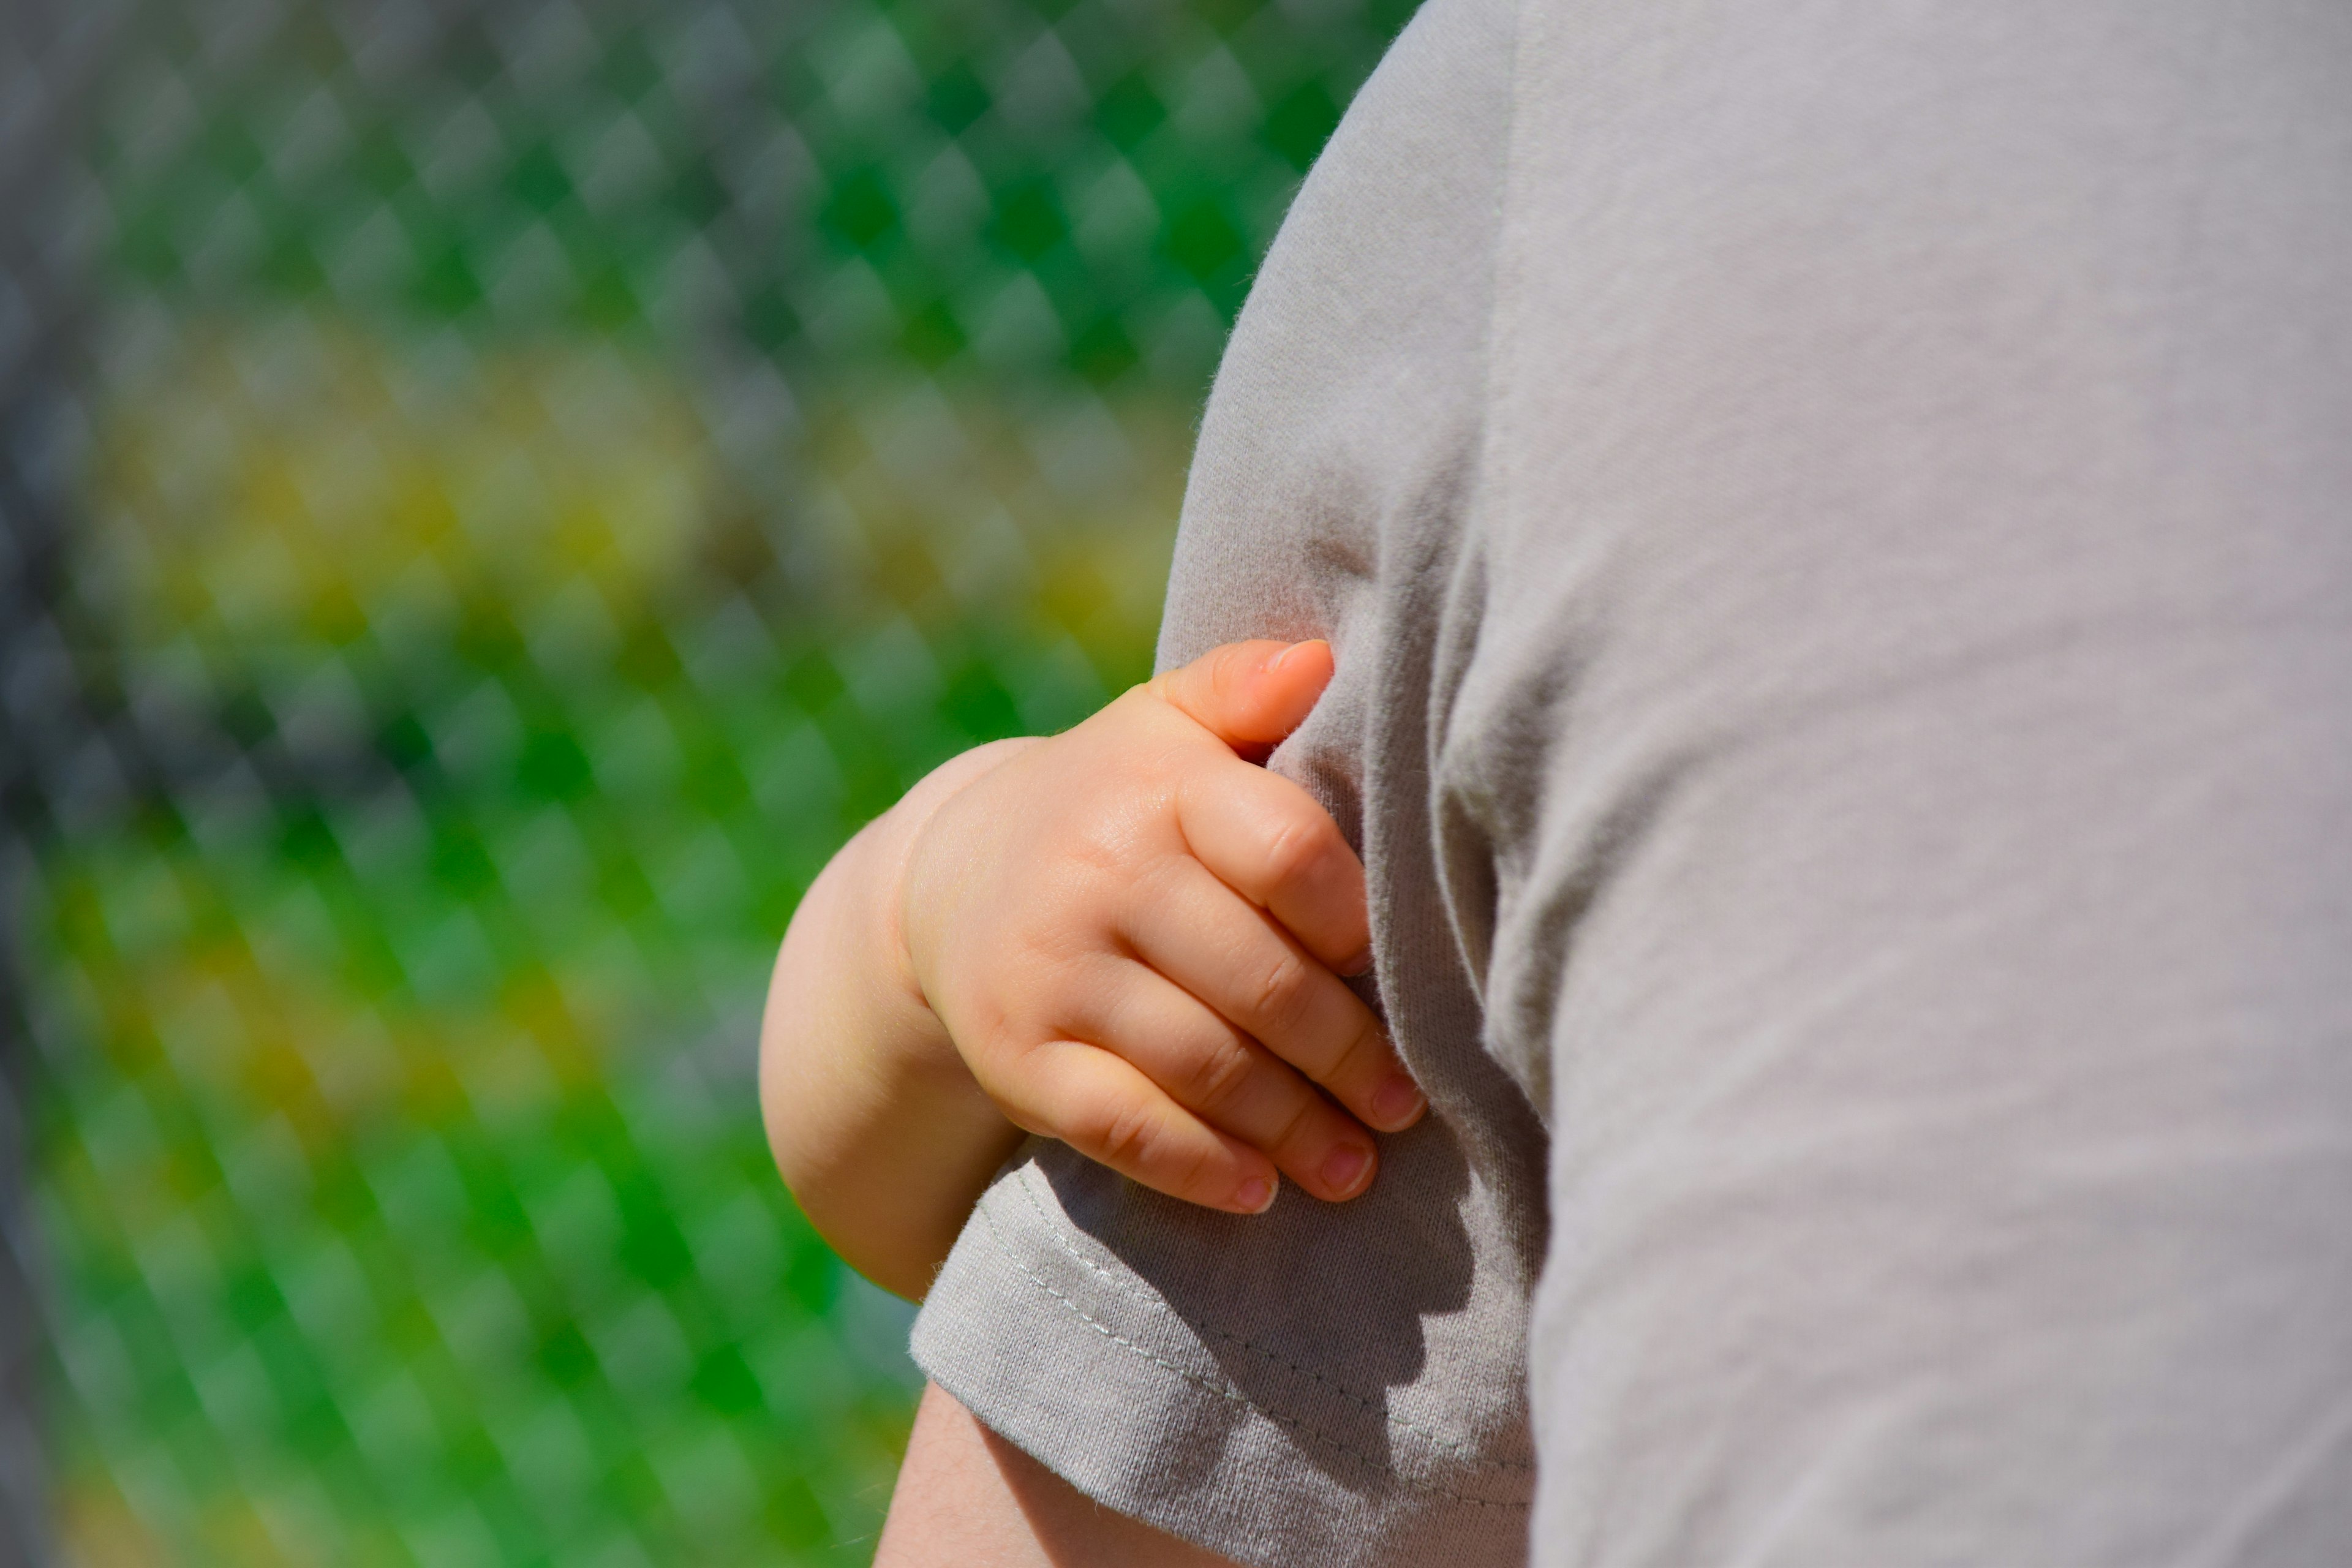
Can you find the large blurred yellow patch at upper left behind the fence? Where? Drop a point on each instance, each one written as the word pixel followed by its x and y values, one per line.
pixel 300 476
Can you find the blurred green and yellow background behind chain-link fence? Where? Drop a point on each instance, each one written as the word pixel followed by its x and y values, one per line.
pixel 493 492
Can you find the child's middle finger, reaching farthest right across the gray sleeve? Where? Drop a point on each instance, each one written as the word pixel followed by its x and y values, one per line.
pixel 1248 970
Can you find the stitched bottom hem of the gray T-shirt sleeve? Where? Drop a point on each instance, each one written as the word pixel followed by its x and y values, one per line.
pixel 1088 1372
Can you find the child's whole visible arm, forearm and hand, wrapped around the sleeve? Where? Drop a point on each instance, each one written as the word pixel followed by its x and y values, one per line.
pixel 1123 937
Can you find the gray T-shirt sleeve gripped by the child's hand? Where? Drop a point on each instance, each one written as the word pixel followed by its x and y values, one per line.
pixel 1323 1383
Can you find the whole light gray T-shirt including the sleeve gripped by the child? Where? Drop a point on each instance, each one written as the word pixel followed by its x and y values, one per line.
pixel 1838 532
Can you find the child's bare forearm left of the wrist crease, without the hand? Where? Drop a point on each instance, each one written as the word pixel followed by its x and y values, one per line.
pixel 876 1125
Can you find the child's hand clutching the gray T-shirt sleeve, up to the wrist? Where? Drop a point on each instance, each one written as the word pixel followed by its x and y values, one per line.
pixel 1132 934
